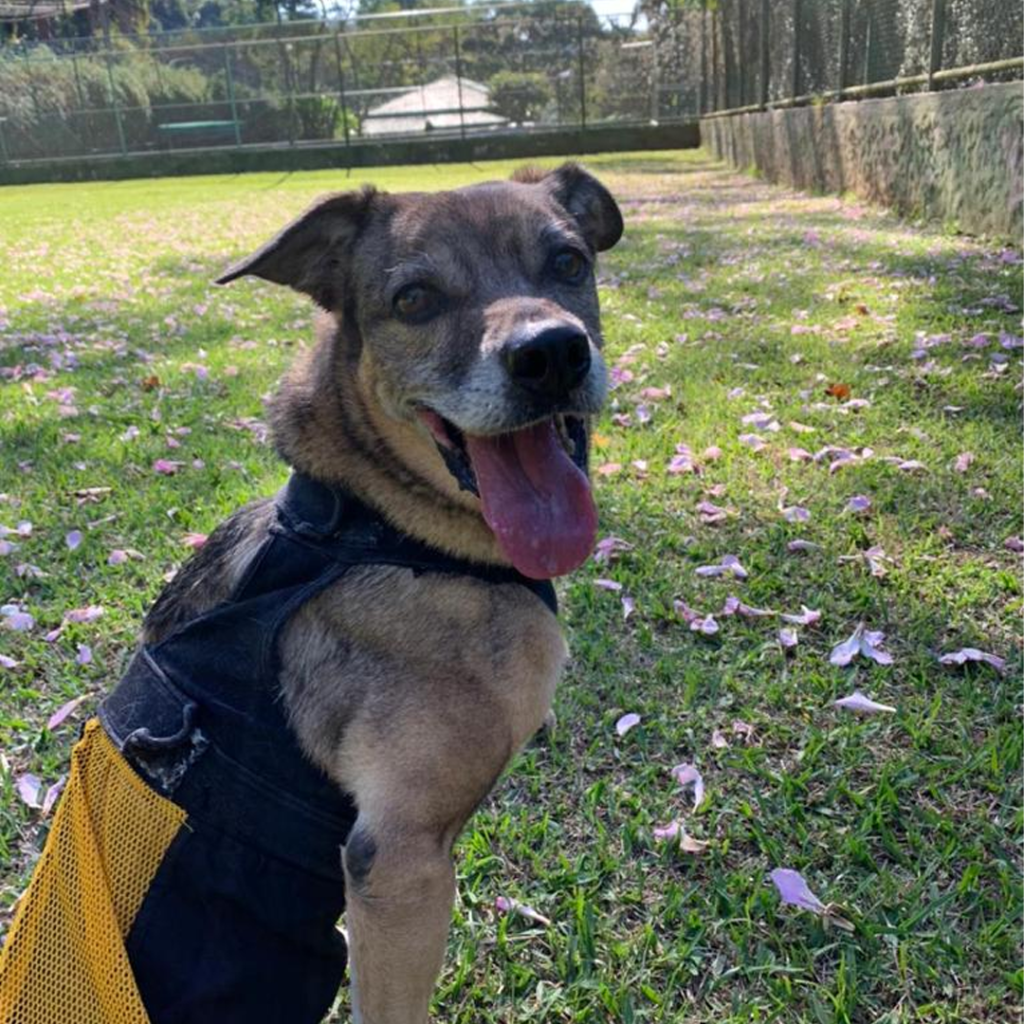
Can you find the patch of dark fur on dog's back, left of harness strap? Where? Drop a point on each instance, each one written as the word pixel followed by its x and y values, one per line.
pixel 214 572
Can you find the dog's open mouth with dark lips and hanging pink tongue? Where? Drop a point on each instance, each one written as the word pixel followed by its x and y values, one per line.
pixel 533 487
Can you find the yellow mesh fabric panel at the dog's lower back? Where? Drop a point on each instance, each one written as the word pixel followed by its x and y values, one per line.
pixel 65 962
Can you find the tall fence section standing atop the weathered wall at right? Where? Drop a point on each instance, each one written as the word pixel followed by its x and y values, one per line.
pixel 761 54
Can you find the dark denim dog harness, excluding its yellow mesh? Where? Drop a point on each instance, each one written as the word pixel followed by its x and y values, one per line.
pixel 239 924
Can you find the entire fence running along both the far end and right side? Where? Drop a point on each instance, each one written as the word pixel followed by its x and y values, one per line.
pixel 501 69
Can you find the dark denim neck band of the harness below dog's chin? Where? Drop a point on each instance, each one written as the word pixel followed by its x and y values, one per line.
pixel 336 520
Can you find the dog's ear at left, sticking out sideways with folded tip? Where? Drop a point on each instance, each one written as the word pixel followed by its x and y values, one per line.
pixel 311 253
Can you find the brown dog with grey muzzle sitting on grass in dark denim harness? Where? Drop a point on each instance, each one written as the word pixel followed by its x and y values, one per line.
pixel 333 684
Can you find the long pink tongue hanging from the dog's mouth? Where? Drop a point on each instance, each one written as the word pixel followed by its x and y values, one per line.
pixel 537 502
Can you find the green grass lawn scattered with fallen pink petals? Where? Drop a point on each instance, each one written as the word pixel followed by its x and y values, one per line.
pixel 733 309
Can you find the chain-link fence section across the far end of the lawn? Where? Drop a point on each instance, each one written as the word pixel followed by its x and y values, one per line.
pixel 547 67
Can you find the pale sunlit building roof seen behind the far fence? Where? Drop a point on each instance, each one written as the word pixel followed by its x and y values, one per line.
pixel 435 106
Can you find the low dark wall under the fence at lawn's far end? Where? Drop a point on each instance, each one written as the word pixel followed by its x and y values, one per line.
pixel 486 146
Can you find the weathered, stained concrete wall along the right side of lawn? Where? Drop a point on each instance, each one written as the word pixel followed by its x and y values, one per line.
pixel 957 156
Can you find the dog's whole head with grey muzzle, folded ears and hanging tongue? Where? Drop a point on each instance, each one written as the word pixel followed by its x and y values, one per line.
pixel 477 316
